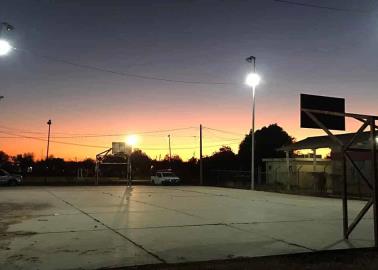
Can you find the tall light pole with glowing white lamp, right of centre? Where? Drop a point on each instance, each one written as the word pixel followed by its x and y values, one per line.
pixel 252 80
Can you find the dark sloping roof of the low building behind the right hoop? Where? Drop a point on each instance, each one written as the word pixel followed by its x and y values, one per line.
pixel 327 142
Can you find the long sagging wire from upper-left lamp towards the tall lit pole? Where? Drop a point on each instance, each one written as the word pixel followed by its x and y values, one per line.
pixel 120 73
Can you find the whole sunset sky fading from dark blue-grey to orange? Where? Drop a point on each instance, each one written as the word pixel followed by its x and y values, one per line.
pixel 299 49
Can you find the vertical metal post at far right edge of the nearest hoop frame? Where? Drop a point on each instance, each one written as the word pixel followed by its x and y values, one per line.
pixel 373 139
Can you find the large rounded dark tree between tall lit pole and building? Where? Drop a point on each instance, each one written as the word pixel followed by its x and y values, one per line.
pixel 267 141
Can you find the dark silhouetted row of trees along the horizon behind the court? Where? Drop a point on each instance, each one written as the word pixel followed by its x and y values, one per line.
pixel 267 140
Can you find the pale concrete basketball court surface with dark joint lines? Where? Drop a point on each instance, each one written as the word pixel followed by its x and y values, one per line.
pixel 109 226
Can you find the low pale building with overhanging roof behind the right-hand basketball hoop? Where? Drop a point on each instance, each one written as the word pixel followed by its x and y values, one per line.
pixel 311 172
